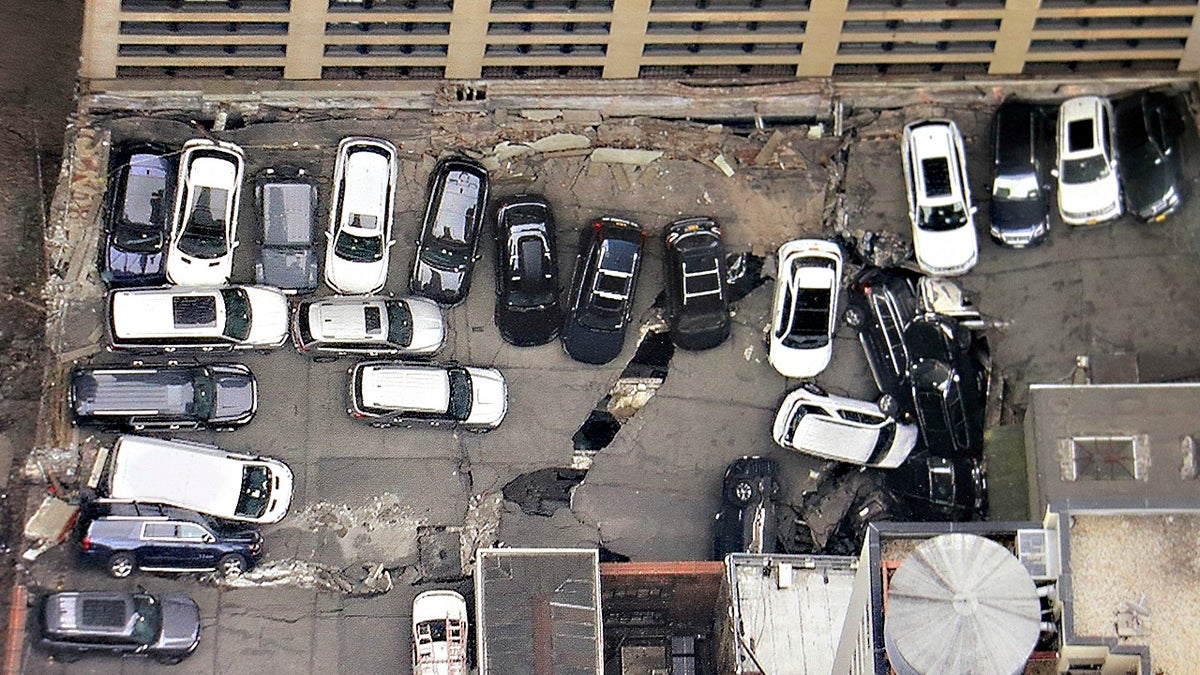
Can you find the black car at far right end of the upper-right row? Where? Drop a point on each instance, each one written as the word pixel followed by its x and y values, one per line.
pixel 1150 154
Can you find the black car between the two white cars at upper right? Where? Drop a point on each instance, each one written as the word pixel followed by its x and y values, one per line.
pixel 1019 213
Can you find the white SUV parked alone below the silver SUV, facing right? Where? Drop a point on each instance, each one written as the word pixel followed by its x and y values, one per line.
pixel 406 395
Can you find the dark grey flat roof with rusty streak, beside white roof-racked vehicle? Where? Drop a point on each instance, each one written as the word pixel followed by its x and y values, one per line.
pixel 538 612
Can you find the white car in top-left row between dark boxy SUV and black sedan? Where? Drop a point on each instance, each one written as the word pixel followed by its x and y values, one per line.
pixel 359 237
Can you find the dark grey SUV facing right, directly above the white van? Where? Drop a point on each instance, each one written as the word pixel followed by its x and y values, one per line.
pixel 173 397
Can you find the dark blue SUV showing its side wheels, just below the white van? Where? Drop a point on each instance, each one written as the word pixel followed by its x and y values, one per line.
pixel 128 536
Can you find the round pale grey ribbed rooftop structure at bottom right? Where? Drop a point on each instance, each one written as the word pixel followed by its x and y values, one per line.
pixel 961 604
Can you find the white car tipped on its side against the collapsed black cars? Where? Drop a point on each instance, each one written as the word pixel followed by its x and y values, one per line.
pixel 842 429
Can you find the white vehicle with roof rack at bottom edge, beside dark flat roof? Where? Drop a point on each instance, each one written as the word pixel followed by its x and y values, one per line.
pixel 440 634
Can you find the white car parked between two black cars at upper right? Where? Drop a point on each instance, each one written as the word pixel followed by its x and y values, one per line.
pixel 1089 190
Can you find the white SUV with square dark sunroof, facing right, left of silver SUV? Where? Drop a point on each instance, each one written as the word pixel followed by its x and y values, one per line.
pixel 172 319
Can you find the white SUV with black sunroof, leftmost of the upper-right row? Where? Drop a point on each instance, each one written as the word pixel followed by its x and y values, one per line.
pixel 935 176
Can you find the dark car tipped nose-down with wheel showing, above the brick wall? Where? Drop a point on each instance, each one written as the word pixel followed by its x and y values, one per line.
pixel 747 522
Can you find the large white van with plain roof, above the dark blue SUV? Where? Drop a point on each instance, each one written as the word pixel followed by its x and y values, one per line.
pixel 199 477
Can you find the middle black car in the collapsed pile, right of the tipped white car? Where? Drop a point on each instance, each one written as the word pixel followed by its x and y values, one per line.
pixel 949 371
